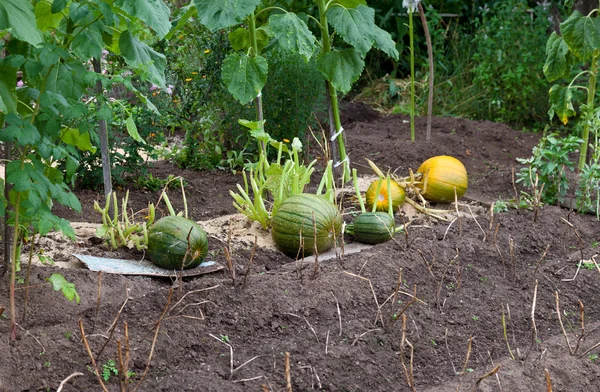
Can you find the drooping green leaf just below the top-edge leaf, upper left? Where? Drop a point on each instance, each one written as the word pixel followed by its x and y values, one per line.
pixel 143 59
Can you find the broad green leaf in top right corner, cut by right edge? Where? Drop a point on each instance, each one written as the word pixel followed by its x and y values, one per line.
pixel 582 35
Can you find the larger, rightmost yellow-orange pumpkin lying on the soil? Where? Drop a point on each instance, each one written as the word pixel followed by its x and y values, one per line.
pixel 442 175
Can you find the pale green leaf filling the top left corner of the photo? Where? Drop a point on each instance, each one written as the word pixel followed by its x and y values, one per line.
pixel 18 15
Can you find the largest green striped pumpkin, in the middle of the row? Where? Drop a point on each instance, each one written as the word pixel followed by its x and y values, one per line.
pixel 295 216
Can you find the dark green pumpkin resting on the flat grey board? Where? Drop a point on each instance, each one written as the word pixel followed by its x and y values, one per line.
pixel 168 243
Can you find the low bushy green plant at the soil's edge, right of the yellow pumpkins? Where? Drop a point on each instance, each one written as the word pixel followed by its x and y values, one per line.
pixel 549 162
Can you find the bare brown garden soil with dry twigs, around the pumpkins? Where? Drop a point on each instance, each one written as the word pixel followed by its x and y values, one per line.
pixel 339 326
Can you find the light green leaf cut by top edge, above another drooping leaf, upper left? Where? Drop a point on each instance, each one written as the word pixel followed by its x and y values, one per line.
pixel 152 12
